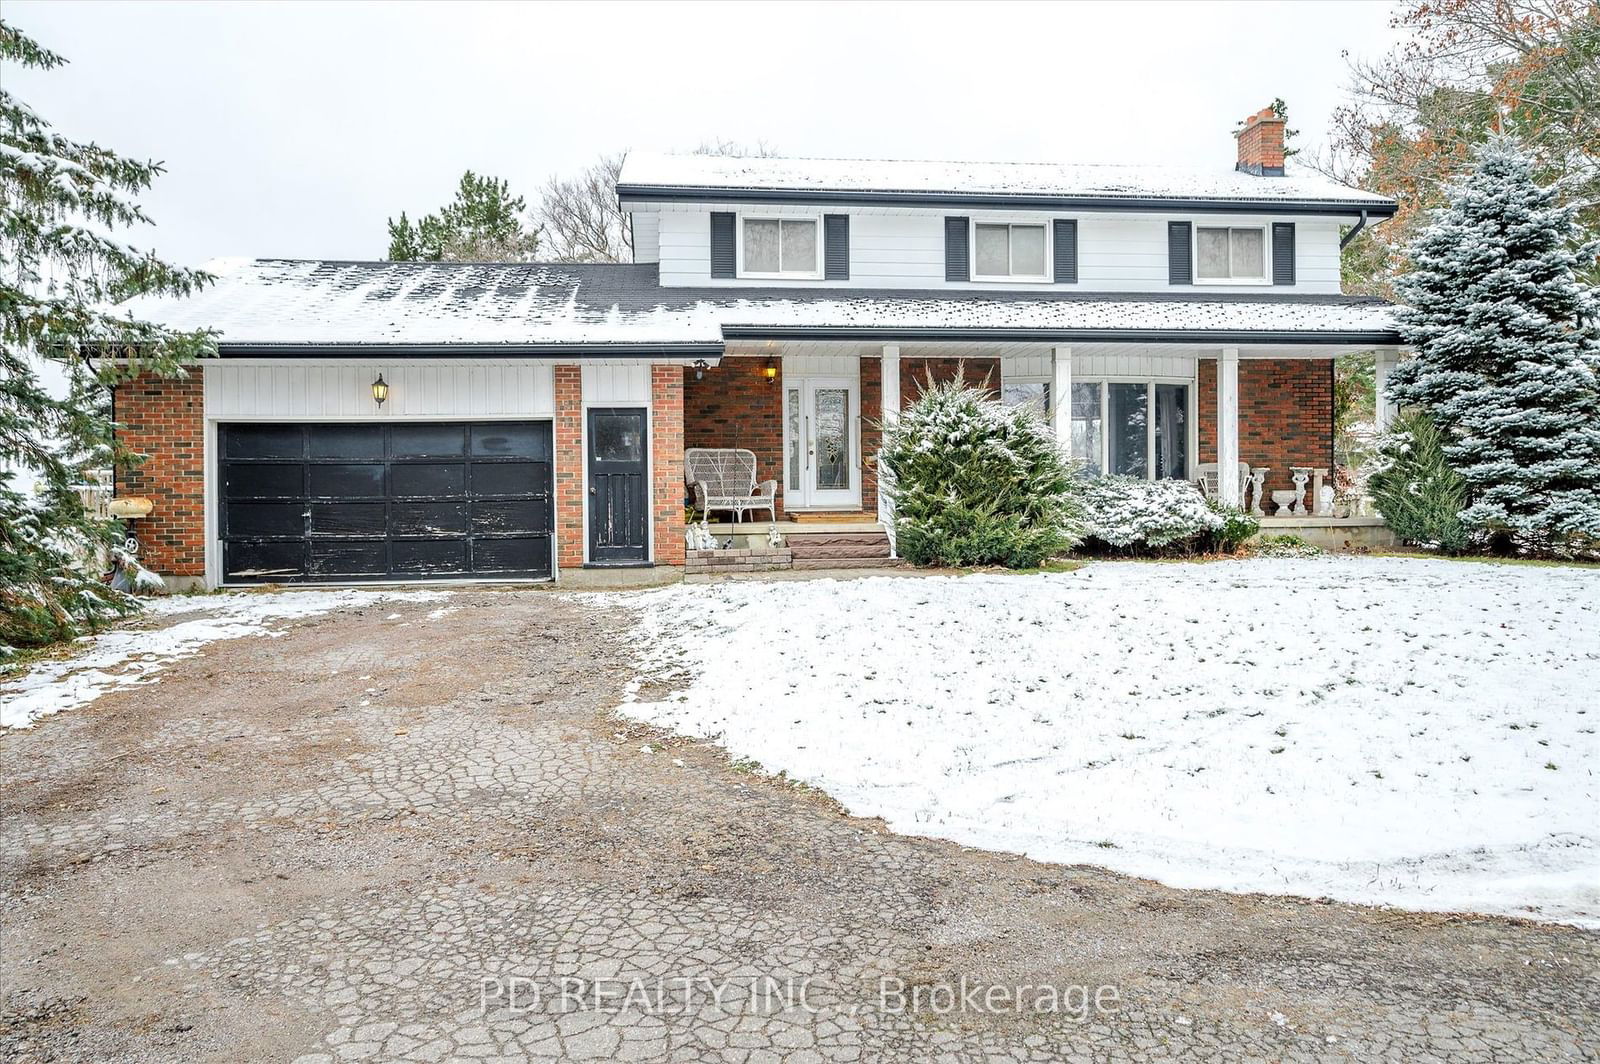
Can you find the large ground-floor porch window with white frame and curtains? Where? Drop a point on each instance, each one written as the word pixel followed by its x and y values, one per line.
pixel 1132 428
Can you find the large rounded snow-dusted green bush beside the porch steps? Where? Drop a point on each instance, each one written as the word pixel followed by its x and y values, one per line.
pixel 977 482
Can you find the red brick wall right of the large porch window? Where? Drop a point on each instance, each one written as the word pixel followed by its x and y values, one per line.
pixel 1286 415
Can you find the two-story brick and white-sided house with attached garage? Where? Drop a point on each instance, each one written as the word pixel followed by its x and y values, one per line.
pixel 436 422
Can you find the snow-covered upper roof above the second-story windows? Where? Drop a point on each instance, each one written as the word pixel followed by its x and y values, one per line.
pixel 650 174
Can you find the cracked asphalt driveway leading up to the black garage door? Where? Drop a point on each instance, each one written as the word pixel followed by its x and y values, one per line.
pixel 394 839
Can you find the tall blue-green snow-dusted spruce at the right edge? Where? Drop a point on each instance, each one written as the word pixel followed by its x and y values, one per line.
pixel 1508 356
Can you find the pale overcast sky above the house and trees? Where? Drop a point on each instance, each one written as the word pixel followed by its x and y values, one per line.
pixel 297 129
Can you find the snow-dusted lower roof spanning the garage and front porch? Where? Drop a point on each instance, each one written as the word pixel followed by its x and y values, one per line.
pixel 318 305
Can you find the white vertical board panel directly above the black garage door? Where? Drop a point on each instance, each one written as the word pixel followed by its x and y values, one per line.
pixel 298 391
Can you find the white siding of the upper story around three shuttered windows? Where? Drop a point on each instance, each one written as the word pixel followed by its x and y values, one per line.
pixel 905 249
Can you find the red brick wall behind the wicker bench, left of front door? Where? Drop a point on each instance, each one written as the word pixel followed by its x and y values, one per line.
pixel 738 407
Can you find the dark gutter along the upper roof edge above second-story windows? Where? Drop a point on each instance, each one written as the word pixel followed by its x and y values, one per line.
pixel 958 201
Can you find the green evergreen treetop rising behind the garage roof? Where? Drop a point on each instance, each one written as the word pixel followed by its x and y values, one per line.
pixel 482 225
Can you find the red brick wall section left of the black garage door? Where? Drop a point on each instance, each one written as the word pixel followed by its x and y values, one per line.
pixel 164 422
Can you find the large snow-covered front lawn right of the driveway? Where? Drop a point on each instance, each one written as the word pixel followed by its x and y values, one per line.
pixel 1378 730
